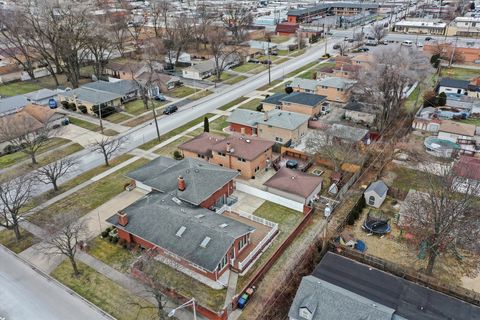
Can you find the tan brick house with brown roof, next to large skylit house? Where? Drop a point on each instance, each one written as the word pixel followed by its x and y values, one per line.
pixel 247 155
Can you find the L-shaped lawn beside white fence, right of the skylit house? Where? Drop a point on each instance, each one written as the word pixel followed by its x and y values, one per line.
pixel 287 220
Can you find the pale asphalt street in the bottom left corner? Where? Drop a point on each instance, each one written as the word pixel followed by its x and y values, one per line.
pixel 26 294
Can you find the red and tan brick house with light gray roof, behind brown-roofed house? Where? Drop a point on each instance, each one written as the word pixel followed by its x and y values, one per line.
pixel 276 125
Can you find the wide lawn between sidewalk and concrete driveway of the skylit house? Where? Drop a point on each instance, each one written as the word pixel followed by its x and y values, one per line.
pixel 89 197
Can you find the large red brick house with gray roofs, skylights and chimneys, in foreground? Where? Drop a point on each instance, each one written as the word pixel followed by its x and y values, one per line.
pixel 176 219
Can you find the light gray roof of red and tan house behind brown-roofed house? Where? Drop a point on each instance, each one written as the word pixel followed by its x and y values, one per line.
pixel 276 118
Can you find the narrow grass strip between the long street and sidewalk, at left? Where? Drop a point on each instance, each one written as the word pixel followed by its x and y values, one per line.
pixel 75 182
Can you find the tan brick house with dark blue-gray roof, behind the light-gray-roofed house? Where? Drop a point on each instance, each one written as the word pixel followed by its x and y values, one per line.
pixel 300 102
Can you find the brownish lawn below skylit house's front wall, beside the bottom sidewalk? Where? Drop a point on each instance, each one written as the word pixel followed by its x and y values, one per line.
pixel 189 287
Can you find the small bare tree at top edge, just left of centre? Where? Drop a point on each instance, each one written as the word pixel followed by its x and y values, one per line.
pixel 237 18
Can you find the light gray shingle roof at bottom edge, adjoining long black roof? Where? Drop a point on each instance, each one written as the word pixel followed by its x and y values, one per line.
pixel 327 301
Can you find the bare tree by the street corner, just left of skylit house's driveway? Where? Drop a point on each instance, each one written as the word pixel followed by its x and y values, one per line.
pixel 64 235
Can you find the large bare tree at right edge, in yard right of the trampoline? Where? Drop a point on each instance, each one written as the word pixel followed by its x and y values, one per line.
pixel 445 215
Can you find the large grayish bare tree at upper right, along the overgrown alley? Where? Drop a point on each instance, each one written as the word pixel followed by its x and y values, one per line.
pixel 383 84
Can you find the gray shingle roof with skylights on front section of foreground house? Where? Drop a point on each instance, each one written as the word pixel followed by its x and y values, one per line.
pixel 157 219
